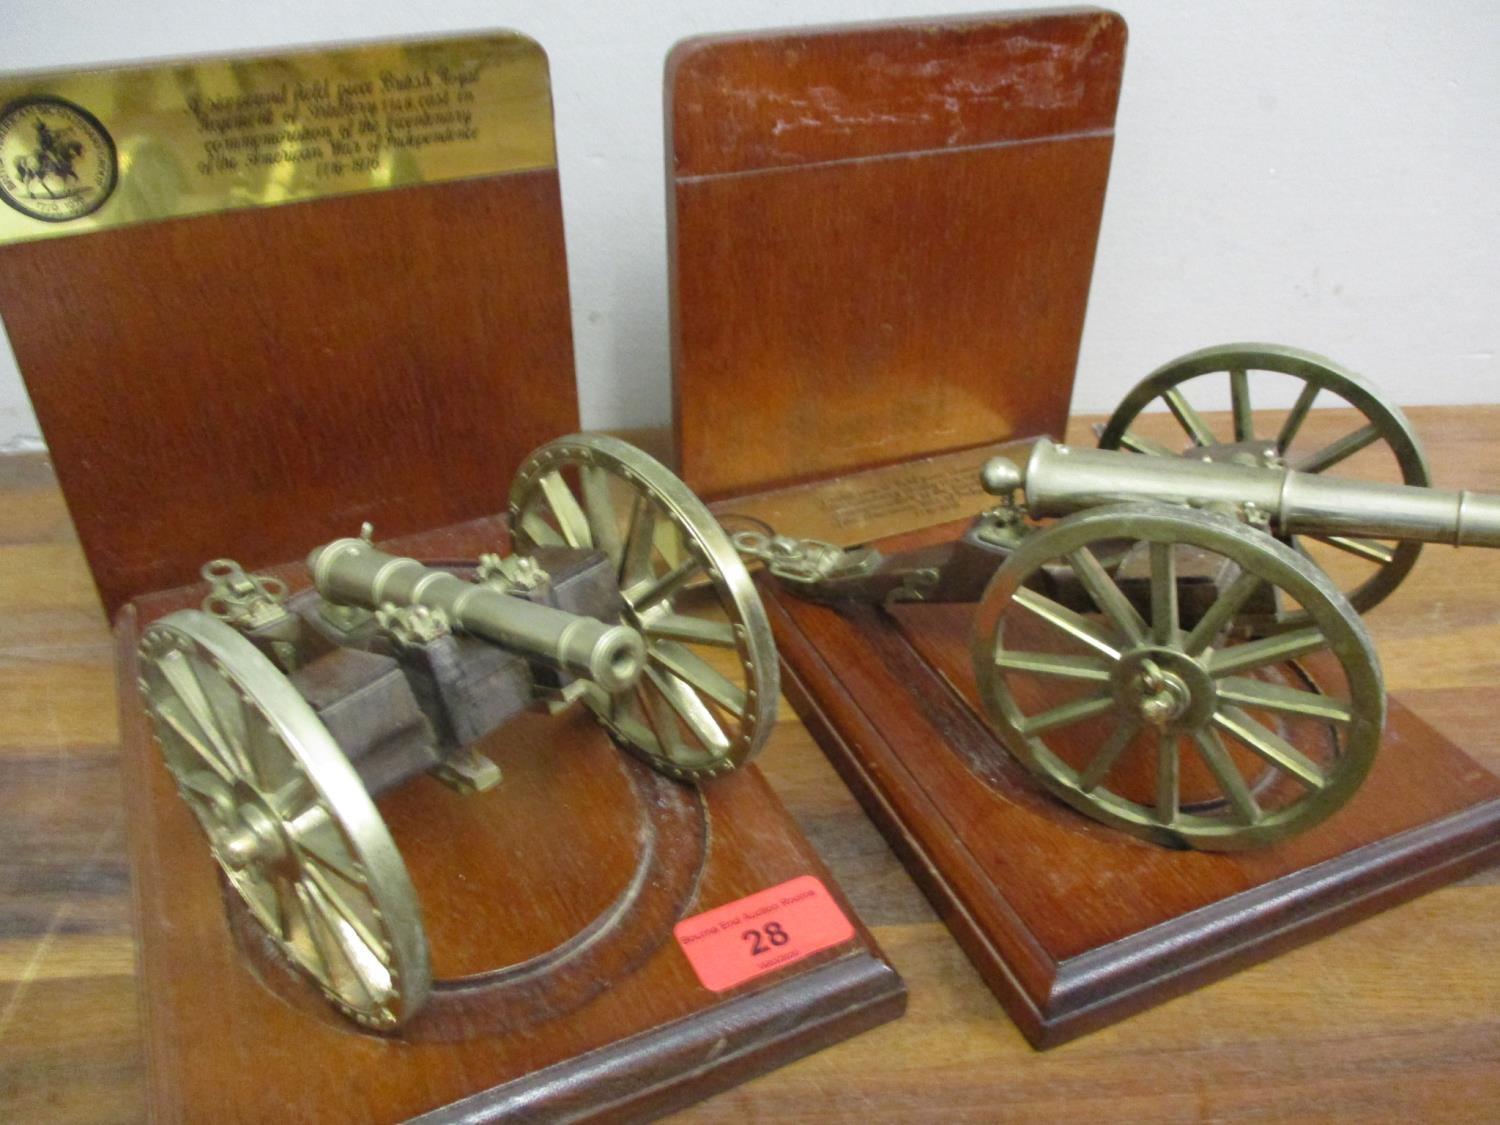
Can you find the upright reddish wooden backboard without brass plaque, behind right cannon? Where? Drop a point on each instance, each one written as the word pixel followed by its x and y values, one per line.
pixel 883 238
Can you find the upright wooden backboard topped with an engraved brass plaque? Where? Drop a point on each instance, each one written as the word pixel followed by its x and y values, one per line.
pixel 248 380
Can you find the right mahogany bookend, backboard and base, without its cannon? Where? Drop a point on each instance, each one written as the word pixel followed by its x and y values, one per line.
pixel 884 239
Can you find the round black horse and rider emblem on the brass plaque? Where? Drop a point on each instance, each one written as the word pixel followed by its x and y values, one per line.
pixel 58 163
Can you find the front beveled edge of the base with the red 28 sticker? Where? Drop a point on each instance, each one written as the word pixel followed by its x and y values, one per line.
pixel 649 1075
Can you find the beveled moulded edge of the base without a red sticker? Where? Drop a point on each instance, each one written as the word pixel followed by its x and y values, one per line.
pixel 1054 1003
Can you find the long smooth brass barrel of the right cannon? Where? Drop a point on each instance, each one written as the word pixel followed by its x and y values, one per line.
pixel 1060 479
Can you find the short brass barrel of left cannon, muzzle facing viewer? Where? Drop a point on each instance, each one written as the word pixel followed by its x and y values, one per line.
pixel 353 572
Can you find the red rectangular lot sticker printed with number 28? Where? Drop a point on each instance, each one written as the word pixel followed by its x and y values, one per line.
pixel 763 932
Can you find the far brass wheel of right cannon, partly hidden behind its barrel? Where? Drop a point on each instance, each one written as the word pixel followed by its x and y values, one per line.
pixel 1385 443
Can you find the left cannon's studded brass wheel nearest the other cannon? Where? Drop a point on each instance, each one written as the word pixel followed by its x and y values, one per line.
pixel 707 700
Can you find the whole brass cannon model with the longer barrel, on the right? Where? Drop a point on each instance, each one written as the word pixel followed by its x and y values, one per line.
pixel 1174 655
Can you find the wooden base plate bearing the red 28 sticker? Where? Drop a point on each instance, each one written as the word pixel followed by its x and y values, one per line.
pixel 550 905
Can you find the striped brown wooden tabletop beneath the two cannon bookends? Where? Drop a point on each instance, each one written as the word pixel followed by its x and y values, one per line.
pixel 1394 1019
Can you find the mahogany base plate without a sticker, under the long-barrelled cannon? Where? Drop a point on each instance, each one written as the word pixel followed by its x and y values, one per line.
pixel 1073 925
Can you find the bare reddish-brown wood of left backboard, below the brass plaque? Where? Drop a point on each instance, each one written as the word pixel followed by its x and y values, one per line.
pixel 293 371
